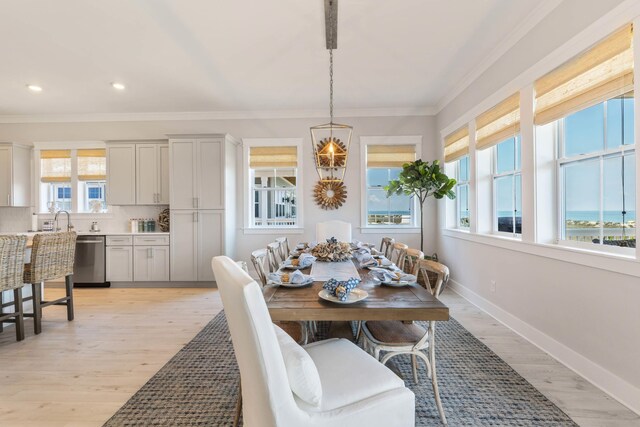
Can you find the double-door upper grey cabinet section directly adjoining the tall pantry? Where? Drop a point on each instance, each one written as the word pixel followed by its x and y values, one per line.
pixel 152 174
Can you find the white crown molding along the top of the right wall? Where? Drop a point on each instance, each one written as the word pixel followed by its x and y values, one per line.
pixel 530 21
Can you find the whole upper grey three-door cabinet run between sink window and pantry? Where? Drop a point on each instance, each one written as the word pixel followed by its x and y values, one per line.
pixel 138 173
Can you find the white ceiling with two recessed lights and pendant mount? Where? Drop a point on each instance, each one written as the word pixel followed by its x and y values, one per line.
pixel 244 55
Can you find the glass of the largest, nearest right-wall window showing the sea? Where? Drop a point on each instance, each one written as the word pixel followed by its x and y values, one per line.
pixel 597 174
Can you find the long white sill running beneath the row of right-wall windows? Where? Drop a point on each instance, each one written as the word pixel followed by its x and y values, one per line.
pixel 618 263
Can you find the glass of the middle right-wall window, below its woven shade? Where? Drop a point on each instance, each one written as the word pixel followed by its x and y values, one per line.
pixel 507 187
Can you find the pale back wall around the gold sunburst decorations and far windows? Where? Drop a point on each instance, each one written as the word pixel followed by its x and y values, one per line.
pixel 259 128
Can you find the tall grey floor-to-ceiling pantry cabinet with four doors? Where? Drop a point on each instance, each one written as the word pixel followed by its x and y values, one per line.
pixel 203 203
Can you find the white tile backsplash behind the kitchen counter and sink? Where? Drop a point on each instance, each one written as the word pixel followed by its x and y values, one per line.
pixel 116 220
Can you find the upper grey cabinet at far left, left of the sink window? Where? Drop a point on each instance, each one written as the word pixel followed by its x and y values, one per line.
pixel 15 175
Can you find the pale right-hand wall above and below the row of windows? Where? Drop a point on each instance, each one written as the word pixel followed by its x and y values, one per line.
pixel 586 317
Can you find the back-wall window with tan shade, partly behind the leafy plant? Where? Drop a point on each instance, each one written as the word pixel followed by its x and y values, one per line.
pixel 384 164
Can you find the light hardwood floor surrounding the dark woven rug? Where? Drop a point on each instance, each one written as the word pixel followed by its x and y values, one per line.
pixel 79 373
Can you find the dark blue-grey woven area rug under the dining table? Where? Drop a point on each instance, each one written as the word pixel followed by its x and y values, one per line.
pixel 198 386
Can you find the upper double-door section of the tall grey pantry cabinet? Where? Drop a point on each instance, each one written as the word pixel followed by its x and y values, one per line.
pixel 199 166
